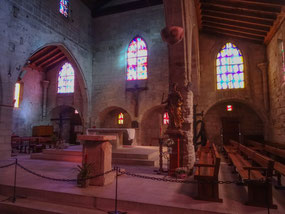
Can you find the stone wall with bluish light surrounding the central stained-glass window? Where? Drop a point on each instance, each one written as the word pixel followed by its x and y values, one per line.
pixel 113 34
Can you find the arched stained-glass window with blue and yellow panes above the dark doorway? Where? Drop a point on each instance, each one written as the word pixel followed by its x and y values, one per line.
pixel 230 68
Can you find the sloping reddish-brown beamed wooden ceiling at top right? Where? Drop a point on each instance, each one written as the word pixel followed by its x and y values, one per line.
pixel 254 20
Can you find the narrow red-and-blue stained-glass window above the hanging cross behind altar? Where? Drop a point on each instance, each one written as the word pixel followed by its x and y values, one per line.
pixel 137 60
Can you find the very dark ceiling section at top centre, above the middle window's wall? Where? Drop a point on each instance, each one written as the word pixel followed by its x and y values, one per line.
pixel 108 7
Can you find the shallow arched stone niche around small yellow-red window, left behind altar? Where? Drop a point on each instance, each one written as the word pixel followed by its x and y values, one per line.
pixel 109 116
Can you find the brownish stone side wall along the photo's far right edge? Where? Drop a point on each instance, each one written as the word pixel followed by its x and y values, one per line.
pixel 276 87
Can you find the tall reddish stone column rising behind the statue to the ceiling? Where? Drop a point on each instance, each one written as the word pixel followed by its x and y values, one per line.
pixel 177 13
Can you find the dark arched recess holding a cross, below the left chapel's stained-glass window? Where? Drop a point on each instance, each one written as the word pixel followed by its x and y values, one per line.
pixel 66 122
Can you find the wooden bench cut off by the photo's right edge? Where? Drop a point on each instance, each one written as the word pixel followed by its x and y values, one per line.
pixel 274 153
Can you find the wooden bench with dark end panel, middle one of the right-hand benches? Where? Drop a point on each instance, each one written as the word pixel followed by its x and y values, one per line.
pixel 253 168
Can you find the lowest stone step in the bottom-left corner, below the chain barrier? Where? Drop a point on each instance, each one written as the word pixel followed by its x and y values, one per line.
pixel 28 206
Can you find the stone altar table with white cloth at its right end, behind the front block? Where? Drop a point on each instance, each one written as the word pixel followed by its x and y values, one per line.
pixel 125 136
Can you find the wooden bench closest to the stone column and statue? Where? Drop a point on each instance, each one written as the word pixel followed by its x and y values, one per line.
pixel 207 171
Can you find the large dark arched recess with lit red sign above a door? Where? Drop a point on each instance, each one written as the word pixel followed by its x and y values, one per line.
pixel 231 118
